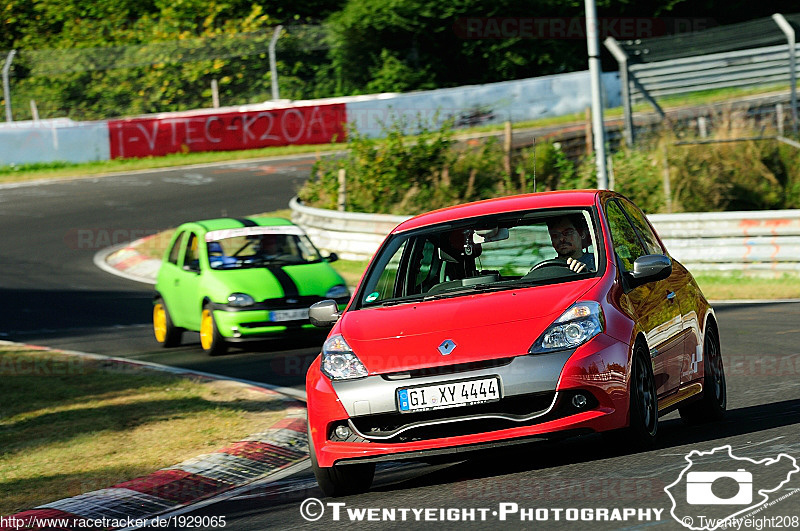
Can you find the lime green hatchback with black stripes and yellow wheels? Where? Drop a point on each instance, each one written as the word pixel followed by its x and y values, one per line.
pixel 237 279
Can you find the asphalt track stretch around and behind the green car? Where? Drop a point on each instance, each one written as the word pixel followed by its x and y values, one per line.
pixel 58 297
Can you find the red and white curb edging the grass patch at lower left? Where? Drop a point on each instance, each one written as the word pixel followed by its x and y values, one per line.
pixel 254 458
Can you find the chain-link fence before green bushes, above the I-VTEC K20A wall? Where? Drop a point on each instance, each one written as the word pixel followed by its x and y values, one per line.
pixel 177 75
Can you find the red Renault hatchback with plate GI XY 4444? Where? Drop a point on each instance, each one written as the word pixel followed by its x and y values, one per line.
pixel 502 321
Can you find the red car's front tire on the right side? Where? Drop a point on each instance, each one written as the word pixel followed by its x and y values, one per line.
pixel 643 426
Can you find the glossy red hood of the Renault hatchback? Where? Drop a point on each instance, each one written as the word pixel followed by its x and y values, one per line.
pixel 483 326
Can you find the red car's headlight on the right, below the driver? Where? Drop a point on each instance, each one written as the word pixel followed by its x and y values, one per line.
pixel 581 322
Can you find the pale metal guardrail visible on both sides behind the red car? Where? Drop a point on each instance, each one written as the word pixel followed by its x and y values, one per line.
pixel 765 242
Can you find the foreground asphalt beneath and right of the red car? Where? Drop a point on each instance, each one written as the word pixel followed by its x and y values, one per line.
pixel 760 349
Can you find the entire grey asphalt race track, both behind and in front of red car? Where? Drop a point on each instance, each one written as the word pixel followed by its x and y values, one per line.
pixel 54 295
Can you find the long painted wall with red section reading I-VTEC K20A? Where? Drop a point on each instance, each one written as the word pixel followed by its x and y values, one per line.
pixel 296 122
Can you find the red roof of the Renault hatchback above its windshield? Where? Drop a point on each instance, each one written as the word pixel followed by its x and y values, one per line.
pixel 555 199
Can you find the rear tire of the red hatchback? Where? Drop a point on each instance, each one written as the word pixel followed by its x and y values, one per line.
pixel 714 402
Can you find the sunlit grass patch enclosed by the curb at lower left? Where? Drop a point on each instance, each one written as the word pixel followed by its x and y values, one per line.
pixel 70 425
